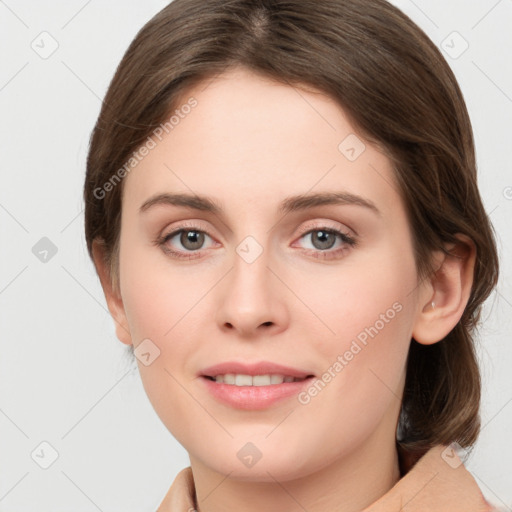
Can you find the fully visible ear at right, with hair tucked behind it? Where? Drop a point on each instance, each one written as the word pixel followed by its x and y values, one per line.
pixel 449 288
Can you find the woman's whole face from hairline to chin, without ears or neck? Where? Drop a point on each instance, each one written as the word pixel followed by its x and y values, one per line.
pixel 267 279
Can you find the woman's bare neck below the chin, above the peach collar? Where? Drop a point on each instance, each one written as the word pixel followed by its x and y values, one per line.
pixel 349 484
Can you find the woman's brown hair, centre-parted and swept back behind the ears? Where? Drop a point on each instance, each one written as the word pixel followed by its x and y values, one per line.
pixel 398 92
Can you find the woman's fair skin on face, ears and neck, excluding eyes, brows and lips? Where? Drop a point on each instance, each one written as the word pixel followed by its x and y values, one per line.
pixel 249 144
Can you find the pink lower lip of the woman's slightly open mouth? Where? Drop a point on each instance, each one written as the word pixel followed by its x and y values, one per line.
pixel 254 397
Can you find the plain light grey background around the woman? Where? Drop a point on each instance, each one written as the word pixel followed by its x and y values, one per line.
pixel 63 376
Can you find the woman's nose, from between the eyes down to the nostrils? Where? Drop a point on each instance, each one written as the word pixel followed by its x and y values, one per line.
pixel 252 297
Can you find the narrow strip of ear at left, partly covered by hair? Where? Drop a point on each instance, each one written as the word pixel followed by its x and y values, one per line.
pixel 112 296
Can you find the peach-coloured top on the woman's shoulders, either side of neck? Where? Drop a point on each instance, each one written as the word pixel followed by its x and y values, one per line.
pixel 437 482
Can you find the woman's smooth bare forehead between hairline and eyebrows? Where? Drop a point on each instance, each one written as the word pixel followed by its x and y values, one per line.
pixel 249 140
